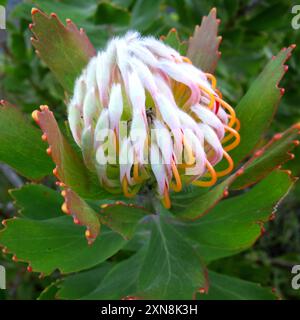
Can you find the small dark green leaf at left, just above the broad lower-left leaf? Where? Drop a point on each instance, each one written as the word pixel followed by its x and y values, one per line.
pixel 37 202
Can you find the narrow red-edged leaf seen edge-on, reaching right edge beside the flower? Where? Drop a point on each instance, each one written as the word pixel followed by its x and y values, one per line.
pixel 275 153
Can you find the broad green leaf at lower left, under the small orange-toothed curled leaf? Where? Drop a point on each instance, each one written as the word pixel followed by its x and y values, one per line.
pixel 57 243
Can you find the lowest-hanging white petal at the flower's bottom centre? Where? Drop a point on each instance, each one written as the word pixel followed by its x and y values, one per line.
pixel 158 169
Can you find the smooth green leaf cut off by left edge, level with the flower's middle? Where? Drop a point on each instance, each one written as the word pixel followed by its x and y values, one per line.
pixel 20 144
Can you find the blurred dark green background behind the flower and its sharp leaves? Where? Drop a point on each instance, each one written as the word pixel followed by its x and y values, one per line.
pixel 252 31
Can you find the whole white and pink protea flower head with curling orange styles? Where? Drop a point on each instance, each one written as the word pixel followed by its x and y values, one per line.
pixel 142 114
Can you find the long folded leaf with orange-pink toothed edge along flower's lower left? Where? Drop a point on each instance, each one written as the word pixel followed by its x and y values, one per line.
pixel 70 168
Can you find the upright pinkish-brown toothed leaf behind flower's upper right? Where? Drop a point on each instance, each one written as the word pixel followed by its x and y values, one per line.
pixel 204 44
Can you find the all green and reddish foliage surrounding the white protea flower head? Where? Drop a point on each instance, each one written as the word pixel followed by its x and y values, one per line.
pixel 203 243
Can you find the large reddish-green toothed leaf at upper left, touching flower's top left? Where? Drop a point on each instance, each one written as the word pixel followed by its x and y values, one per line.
pixel 65 49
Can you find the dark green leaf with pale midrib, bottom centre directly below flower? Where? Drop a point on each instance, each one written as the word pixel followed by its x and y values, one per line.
pixel 172 268
